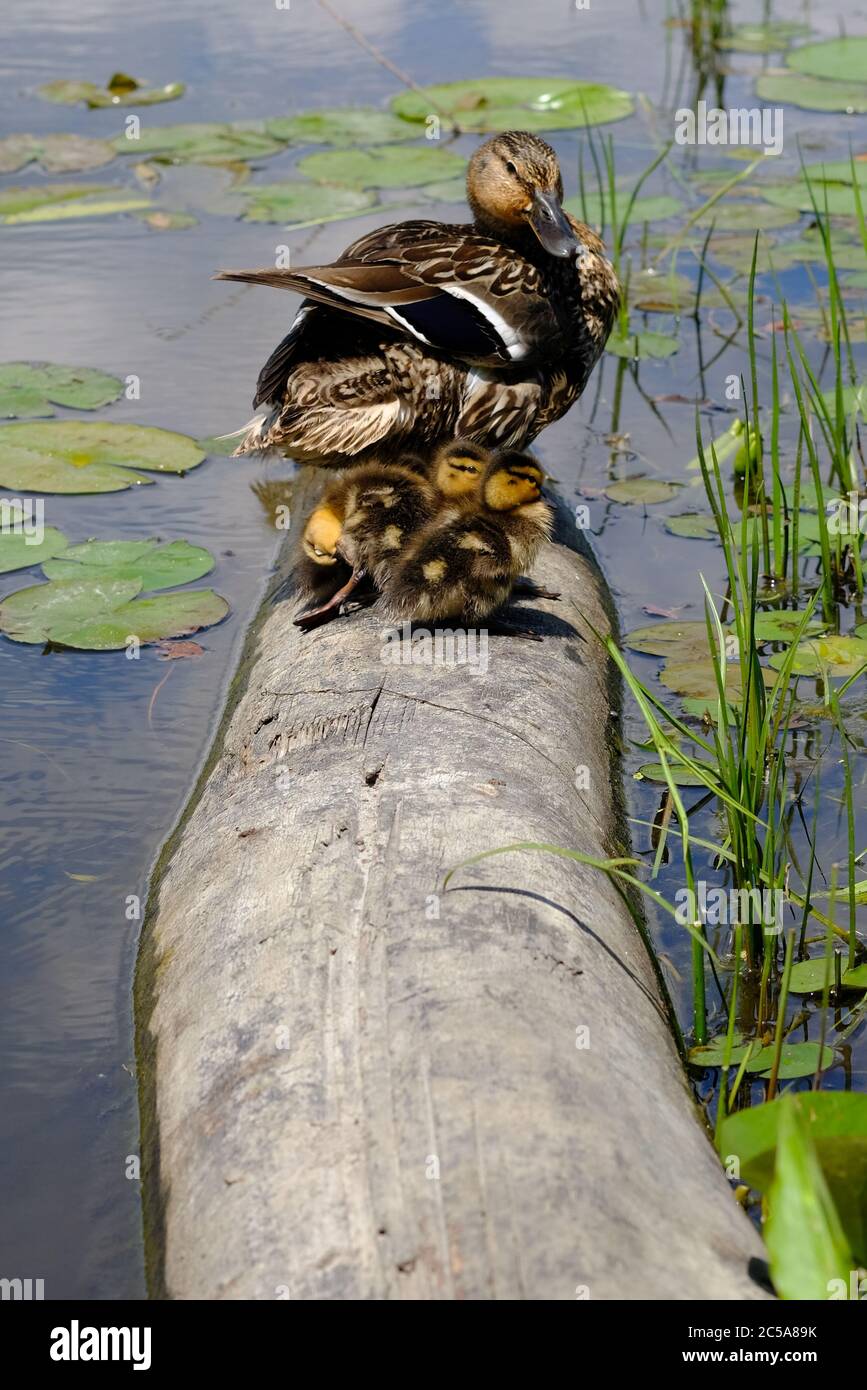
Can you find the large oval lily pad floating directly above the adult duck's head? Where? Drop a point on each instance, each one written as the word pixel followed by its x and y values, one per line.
pixel 518 104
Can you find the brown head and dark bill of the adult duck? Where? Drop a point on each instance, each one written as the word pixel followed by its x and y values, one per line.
pixel 515 184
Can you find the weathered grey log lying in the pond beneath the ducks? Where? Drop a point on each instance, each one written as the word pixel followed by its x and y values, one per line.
pixel 359 1086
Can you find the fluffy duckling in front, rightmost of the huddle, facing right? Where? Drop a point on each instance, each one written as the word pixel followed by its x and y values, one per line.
pixel 468 561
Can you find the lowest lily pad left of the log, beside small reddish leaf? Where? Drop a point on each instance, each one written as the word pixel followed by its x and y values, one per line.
pixel 102 615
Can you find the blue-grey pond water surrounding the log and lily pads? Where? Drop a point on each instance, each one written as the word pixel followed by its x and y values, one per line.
pixel 99 753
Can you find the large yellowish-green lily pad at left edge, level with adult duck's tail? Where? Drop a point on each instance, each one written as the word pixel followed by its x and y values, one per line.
pixel 72 457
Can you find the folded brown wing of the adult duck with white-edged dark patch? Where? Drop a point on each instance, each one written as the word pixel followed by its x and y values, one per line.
pixel 448 287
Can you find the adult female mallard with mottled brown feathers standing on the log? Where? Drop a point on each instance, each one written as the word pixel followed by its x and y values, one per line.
pixel 426 330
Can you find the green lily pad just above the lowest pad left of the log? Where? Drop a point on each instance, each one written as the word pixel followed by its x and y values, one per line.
pixel 154 565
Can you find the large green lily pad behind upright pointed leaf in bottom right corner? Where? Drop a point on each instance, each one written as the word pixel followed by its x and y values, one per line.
pixel 837 1124
